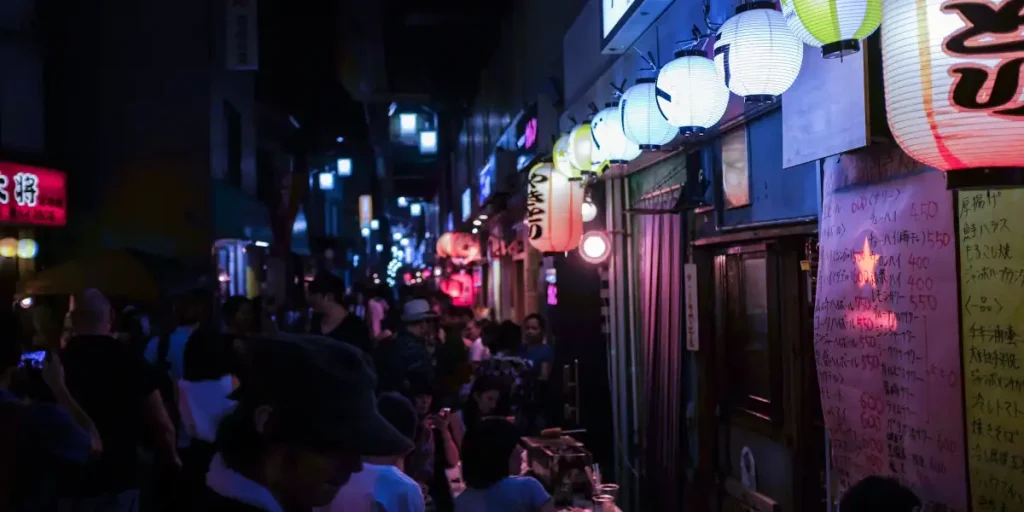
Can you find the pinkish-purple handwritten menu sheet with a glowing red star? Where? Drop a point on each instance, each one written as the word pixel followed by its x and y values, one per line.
pixel 886 345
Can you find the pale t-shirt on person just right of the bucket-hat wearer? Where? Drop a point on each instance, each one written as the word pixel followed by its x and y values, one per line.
pixel 378 489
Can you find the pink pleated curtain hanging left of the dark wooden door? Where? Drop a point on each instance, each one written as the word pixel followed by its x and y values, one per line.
pixel 661 319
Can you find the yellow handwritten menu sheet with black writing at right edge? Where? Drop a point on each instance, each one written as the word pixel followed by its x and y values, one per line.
pixel 992 250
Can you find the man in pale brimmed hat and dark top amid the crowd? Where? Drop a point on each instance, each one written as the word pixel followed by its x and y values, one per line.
pixel 405 359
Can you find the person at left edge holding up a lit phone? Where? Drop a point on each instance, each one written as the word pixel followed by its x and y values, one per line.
pixel 38 438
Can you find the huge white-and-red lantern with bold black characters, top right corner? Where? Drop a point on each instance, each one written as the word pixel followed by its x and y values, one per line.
pixel 953 82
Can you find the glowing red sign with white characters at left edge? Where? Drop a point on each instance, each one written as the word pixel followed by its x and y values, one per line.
pixel 32 195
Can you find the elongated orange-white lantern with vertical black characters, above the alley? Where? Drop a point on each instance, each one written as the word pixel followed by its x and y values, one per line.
pixel 553 210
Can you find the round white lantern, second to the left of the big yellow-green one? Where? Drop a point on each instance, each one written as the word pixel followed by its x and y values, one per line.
pixel 691 95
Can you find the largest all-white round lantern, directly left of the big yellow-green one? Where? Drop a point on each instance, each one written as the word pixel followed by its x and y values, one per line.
pixel 756 55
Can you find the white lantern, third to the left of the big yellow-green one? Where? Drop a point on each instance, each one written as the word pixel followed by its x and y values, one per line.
pixel 644 122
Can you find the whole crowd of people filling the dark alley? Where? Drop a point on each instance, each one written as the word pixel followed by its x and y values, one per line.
pixel 371 404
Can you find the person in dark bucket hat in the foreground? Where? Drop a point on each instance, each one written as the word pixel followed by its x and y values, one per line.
pixel 307 415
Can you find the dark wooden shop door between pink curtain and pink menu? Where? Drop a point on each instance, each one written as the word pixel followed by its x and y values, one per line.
pixel 760 401
